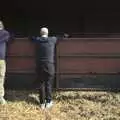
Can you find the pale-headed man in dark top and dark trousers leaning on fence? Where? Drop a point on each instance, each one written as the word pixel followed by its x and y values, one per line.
pixel 45 47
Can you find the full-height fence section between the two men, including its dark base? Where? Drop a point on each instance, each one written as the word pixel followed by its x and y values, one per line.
pixel 20 64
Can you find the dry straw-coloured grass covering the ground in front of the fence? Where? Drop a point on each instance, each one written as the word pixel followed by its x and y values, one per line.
pixel 68 106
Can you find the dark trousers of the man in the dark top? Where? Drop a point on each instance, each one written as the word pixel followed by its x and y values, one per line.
pixel 46 75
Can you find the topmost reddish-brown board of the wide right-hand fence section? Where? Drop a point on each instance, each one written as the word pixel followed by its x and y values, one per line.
pixel 89 46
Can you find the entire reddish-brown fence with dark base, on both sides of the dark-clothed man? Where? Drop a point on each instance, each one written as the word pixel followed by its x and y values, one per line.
pixel 81 63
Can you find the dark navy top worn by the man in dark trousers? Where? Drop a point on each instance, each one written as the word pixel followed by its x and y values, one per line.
pixel 45 48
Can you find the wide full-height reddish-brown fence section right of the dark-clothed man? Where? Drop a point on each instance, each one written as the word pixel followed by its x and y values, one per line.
pixel 88 63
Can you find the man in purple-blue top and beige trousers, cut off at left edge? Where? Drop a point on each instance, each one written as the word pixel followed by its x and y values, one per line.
pixel 4 37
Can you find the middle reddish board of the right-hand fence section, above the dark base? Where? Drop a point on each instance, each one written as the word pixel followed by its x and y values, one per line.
pixel 88 65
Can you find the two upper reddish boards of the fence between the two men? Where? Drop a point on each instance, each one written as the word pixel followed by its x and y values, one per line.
pixel 21 56
